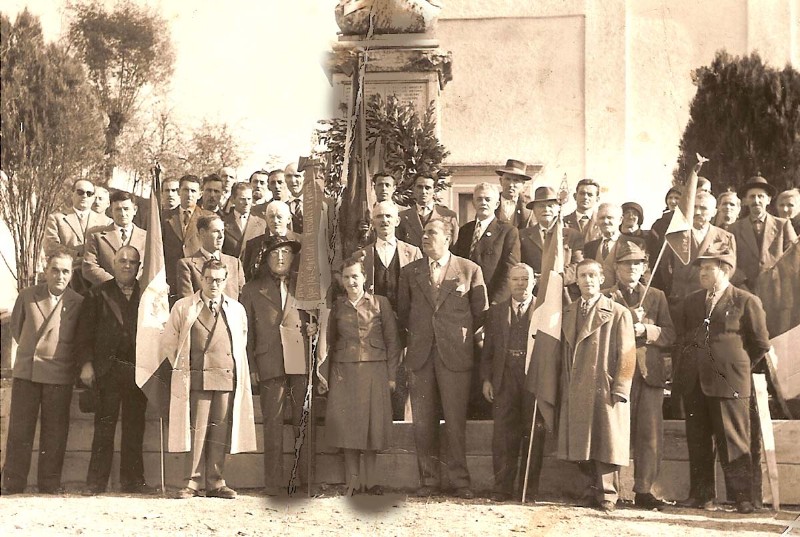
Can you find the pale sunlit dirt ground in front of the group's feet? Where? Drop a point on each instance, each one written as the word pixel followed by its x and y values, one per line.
pixel 393 514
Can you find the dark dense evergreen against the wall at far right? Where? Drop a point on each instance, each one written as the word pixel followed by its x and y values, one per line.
pixel 745 117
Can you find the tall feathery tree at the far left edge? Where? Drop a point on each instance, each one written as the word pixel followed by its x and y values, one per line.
pixel 52 133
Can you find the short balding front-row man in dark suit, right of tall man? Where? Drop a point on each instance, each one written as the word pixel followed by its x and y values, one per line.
pixel 503 377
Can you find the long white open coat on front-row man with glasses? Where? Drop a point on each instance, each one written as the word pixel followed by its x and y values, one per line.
pixel 176 347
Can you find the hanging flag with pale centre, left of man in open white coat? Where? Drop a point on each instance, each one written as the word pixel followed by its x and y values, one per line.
pixel 152 372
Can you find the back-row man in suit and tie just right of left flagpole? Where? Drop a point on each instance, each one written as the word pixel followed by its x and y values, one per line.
pixel 180 229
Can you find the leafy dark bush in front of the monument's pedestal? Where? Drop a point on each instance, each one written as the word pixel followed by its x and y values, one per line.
pixel 408 140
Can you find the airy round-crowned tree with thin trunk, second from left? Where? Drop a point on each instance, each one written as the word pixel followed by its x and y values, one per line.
pixel 124 50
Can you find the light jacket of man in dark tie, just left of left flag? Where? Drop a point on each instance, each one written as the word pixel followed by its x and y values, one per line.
pixel 102 246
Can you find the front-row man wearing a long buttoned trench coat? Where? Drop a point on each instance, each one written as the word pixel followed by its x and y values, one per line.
pixel 598 361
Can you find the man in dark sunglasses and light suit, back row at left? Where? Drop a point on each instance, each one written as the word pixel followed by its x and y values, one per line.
pixel 71 228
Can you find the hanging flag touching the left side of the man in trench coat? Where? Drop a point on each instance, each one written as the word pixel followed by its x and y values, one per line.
pixel 543 355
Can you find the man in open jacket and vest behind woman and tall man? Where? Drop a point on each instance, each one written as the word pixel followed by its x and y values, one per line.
pixel 384 258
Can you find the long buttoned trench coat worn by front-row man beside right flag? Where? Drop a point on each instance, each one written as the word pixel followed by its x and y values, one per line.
pixel 597 361
